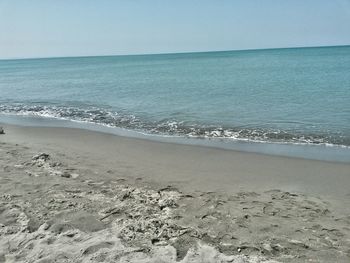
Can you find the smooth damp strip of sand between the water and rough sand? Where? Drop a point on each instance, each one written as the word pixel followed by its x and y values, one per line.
pixel 213 160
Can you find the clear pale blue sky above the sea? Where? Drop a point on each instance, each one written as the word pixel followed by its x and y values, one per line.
pixel 46 28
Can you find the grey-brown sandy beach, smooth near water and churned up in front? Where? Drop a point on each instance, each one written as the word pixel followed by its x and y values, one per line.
pixel 73 195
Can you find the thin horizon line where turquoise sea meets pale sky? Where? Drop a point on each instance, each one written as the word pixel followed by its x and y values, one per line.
pixel 170 53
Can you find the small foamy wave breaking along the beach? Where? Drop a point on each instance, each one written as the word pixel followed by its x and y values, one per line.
pixel 111 118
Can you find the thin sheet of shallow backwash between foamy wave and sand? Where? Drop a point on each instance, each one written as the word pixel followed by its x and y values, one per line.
pixel 321 152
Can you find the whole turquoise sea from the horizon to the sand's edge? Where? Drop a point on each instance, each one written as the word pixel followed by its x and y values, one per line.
pixel 291 101
